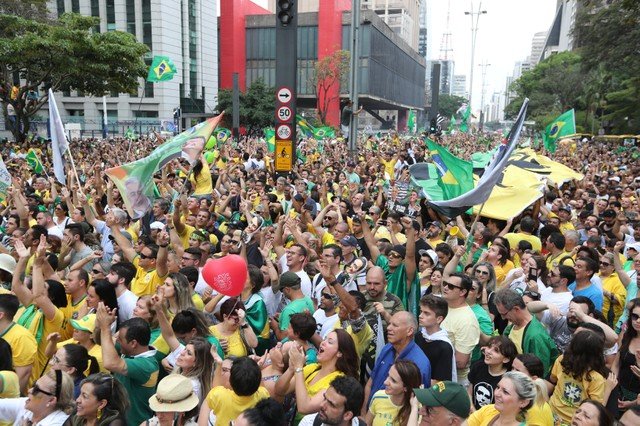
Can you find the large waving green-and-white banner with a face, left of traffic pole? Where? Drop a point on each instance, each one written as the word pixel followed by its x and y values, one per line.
pixel 135 180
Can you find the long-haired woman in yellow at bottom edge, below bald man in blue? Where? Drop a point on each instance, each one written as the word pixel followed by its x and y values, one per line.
pixel 394 399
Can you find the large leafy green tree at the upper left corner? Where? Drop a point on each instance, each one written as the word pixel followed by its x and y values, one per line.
pixel 62 55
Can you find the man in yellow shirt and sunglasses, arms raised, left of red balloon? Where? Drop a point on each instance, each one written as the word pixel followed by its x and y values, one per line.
pixel 151 263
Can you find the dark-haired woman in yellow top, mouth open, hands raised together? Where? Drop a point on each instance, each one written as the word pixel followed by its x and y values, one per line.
pixel 336 357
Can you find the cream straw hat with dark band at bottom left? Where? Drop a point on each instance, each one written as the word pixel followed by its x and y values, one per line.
pixel 174 394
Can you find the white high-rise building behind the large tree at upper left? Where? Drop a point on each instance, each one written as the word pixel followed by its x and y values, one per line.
pixel 185 31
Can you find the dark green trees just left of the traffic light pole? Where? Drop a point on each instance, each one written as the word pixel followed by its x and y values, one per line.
pixel 256 106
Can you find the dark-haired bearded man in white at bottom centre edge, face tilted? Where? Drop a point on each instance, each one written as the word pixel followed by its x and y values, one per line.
pixel 341 405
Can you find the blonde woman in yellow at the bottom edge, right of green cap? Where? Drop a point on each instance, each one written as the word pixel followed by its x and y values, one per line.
pixel 515 394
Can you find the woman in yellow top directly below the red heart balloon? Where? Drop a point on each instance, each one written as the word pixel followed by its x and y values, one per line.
pixel 234 334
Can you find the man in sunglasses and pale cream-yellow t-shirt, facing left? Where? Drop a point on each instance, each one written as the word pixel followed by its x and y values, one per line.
pixel 460 322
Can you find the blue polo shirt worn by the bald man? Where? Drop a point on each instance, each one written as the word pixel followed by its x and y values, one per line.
pixel 386 359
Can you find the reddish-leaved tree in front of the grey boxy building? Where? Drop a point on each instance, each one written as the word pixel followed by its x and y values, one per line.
pixel 326 79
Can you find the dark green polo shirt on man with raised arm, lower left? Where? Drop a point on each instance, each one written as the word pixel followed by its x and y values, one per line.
pixel 141 381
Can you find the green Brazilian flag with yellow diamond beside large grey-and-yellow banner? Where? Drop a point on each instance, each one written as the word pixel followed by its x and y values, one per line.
pixel 455 175
